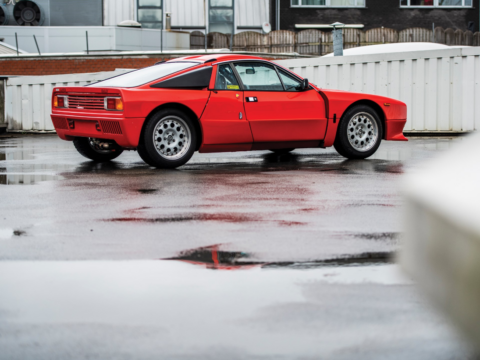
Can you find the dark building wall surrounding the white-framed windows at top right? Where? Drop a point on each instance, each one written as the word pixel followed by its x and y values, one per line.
pixel 378 13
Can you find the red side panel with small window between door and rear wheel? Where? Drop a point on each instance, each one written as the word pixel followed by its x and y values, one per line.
pixel 224 120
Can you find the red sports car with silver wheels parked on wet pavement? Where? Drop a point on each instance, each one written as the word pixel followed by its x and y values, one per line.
pixel 218 103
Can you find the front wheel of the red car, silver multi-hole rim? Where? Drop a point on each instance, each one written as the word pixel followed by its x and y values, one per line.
pixel 359 133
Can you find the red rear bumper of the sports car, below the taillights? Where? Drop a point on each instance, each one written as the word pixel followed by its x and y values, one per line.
pixel 125 131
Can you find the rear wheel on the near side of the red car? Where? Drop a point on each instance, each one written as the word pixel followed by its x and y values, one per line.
pixel 160 152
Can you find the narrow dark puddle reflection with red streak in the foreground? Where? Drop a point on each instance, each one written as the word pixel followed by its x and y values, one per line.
pixel 212 257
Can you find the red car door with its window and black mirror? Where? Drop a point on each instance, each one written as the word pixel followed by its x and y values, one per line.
pixel 276 107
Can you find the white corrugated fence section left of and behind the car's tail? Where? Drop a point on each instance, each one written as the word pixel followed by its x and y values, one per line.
pixel 28 99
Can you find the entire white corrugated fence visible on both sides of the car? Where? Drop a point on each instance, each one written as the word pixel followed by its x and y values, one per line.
pixel 440 87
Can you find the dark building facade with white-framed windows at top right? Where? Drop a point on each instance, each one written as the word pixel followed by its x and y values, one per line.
pixel 297 15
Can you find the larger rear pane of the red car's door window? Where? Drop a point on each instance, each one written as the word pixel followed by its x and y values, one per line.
pixel 258 76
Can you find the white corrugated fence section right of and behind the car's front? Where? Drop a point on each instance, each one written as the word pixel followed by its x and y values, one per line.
pixel 440 87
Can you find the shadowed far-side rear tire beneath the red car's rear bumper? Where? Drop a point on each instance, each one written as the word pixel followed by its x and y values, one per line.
pixel 97 149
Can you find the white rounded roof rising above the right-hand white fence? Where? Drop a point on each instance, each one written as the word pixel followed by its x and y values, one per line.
pixel 393 48
